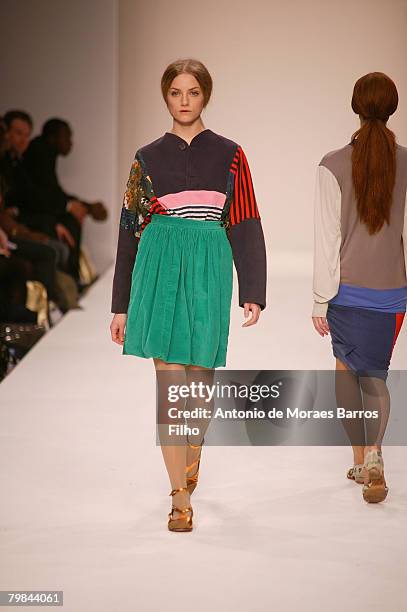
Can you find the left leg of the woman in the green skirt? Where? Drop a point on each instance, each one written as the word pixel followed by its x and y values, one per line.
pixel 174 455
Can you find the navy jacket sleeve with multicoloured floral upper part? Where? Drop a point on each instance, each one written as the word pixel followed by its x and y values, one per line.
pixel 127 245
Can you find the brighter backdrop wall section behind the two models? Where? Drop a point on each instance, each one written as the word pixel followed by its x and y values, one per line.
pixel 283 78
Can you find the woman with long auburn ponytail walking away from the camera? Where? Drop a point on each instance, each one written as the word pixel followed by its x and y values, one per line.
pixel 360 285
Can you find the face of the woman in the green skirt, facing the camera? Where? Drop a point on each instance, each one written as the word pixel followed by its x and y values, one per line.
pixel 185 99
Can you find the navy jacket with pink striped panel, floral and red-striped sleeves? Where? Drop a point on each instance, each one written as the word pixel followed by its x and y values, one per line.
pixel 208 179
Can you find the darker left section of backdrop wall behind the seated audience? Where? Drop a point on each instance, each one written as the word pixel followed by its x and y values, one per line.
pixel 59 59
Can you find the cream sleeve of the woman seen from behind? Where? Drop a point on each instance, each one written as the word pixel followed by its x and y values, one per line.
pixel 327 240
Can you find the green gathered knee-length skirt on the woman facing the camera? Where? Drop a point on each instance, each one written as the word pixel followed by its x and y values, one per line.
pixel 181 291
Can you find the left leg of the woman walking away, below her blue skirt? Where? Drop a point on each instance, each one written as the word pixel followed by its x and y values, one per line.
pixel 348 396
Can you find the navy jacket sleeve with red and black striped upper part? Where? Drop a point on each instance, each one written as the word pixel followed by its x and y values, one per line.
pixel 246 235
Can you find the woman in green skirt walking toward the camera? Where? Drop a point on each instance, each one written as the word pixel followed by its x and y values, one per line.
pixel 189 212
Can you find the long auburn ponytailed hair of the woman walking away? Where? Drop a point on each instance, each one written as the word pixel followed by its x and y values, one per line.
pixel 374 99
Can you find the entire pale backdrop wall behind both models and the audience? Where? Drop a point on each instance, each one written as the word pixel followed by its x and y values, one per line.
pixel 283 77
